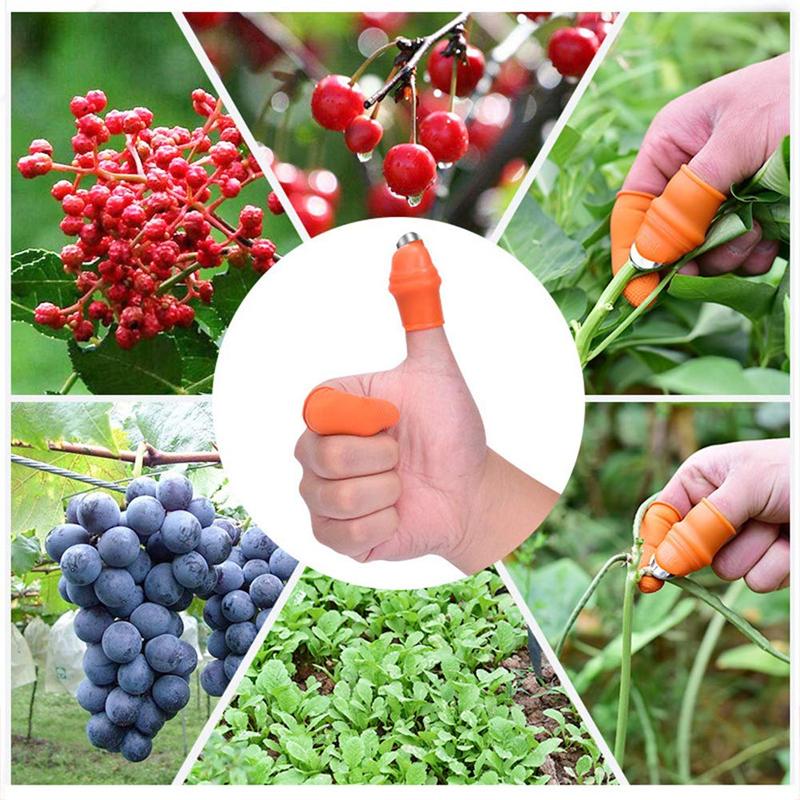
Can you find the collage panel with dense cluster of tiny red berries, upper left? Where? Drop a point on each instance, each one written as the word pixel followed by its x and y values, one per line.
pixel 124 181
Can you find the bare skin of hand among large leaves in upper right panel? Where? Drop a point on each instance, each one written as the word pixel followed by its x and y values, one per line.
pixel 724 130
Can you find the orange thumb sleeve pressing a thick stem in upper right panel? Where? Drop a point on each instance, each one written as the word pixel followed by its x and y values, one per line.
pixel 678 219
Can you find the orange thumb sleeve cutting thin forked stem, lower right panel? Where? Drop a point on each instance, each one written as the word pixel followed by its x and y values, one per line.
pixel 692 543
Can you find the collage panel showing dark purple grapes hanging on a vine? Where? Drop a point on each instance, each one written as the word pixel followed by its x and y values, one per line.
pixel 138 584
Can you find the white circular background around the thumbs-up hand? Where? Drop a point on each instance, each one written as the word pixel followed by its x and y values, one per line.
pixel 325 311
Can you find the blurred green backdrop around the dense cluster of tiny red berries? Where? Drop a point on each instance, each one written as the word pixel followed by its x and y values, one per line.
pixel 138 60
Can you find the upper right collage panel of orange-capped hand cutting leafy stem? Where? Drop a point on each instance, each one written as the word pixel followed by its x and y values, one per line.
pixel 714 320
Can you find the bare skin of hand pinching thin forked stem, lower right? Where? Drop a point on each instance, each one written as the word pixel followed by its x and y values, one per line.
pixel 748 482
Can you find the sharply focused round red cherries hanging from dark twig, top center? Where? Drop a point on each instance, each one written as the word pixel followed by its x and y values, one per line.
pixel 409 168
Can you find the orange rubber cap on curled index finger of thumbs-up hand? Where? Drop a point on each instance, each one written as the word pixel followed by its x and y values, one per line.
pixel 329 411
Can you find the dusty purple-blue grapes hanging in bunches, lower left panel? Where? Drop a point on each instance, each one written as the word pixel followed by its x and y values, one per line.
pixel 131 572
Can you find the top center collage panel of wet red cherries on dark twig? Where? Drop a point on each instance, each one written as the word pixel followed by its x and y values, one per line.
pixel 352 138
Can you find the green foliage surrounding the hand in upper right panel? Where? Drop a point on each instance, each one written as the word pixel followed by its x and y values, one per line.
pixel 560 231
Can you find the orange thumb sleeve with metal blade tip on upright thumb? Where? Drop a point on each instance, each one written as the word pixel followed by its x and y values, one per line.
pixel 414 282
